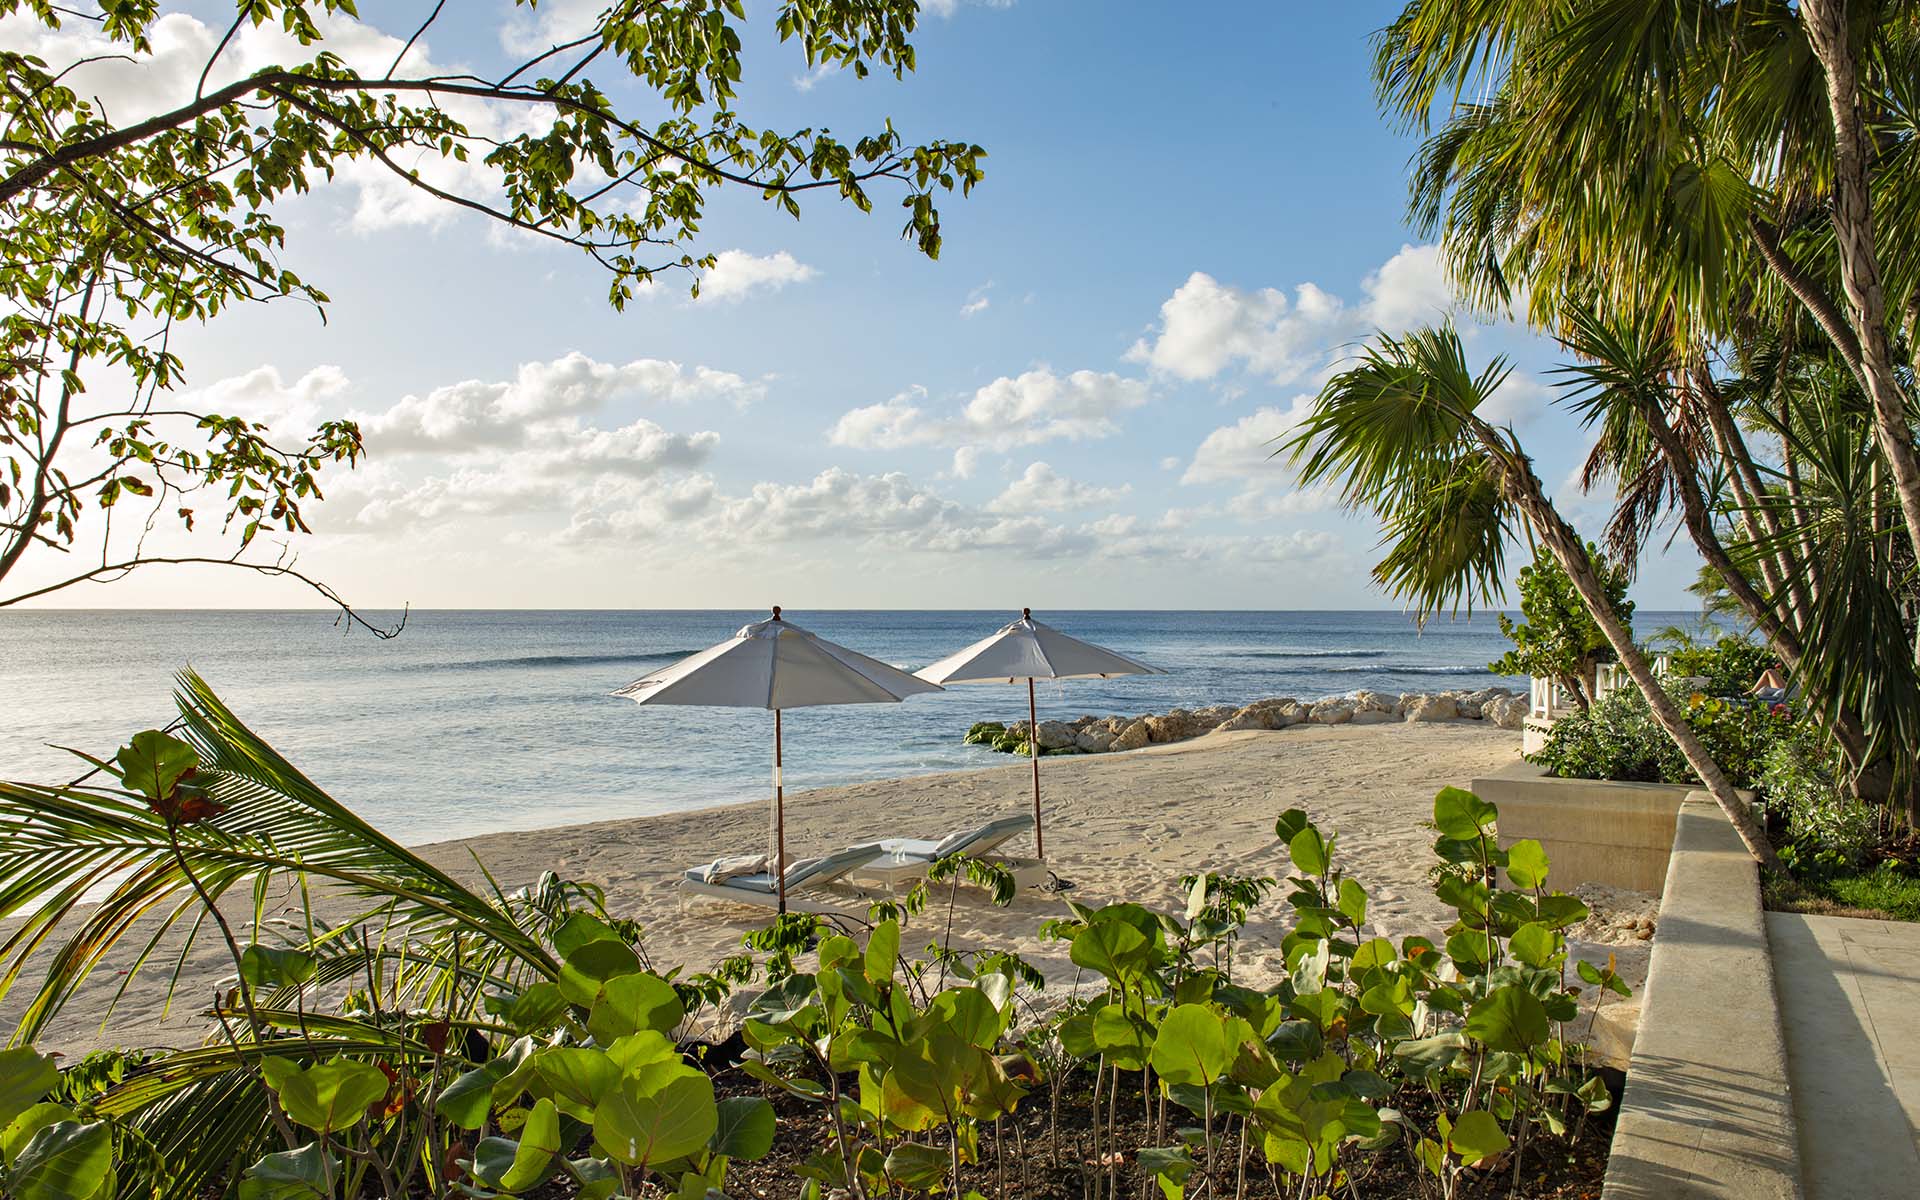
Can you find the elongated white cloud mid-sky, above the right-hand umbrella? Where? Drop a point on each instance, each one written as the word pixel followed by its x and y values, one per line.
pixel 1024 410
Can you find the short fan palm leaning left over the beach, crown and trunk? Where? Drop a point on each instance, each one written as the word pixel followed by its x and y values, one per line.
pixel 1401 435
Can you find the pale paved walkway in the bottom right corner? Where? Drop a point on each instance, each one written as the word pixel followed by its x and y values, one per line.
pixel 1850 1005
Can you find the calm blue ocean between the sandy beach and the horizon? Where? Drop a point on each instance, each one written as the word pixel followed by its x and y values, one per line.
pixel 473 723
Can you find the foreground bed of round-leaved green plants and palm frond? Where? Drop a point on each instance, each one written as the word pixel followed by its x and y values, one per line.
pixel 385 1030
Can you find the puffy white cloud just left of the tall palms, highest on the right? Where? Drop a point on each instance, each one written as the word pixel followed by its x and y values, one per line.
pixel 1209 327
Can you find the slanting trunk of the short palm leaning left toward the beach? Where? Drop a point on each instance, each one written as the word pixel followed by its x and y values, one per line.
pixel 1570 552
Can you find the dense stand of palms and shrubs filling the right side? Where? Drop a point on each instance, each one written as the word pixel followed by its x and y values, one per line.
pixel 1712 210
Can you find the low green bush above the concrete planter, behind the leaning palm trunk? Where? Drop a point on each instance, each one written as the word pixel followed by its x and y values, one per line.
pixel 1621 740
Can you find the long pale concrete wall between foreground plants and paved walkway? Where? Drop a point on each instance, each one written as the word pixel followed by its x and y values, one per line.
pixel 1708 1113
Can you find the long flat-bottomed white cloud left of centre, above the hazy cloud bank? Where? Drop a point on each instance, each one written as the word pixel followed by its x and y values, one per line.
pixel 496 416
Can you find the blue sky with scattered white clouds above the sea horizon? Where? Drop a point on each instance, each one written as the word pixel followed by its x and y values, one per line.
pixel 1191 216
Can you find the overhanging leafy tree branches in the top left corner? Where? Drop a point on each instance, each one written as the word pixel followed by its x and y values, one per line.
pixel 124 228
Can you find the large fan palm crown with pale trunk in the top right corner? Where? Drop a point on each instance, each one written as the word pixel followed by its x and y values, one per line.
pixel 1681 158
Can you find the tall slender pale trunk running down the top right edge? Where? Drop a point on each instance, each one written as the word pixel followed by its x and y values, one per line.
pixel 1860 264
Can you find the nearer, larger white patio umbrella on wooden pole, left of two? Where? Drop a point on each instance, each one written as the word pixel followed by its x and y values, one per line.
pixel 777 665
